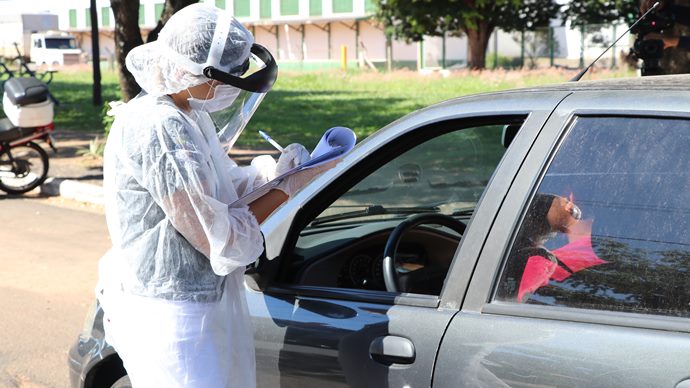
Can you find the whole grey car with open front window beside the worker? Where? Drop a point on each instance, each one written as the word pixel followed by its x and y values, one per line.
pixel 419 261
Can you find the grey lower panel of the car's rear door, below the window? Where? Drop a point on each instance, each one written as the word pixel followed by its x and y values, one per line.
pixel 501 351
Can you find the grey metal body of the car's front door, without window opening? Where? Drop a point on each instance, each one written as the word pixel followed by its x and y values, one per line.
pixel 321 334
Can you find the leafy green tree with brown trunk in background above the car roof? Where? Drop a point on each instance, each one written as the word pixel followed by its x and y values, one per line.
pixel 413 19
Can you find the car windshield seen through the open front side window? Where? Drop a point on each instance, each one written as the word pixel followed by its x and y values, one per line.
pixel 446 174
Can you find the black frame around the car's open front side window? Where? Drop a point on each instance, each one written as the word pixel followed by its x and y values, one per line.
pixel 355 174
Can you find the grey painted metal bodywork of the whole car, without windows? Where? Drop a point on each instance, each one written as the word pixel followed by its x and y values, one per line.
pixel 311 336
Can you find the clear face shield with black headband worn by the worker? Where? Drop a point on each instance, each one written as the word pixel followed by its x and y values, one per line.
pixel 256 78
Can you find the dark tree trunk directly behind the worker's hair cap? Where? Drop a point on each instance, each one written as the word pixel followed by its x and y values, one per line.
pixel 127 37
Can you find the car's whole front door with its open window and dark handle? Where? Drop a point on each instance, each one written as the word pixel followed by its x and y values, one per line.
pixel 316 327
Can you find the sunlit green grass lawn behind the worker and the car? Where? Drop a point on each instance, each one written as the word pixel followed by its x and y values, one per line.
pixel 303 105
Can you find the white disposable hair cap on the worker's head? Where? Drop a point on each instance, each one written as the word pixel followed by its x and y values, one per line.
pixel 194 38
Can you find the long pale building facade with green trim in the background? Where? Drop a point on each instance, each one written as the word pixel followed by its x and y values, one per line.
pixel 312 34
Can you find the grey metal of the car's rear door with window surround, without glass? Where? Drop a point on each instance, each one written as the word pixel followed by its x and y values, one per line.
pixel 504 344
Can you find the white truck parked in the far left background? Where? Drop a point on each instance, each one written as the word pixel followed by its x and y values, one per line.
pixel 38 39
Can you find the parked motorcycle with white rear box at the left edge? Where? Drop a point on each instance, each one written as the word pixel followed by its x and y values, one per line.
pixel 29 108
